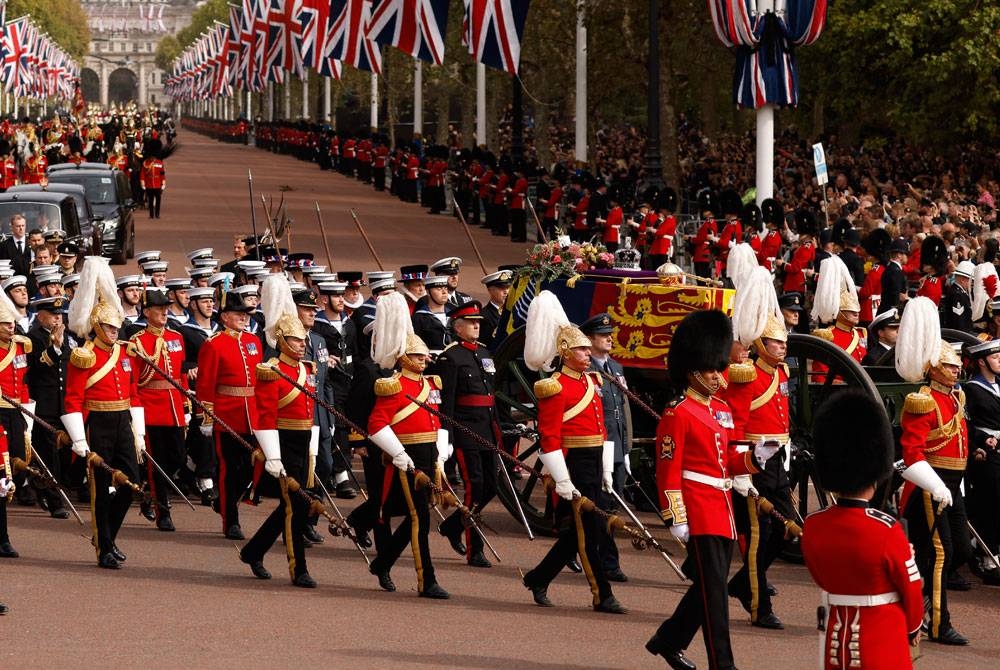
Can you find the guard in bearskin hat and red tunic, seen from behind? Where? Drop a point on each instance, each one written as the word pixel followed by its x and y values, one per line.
pixel 859 556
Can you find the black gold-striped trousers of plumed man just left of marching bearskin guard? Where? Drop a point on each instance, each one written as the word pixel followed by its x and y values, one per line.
pixel 585 465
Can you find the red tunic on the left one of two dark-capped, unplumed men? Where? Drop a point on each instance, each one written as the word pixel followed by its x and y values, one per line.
pixel 165 405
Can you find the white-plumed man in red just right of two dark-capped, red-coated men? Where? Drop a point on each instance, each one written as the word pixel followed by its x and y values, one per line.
pixel 286 432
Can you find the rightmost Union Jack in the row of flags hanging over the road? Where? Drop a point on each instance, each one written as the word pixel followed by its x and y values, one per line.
pixel 492 30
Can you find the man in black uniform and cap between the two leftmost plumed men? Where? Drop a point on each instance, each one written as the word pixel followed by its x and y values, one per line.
pixel 51 345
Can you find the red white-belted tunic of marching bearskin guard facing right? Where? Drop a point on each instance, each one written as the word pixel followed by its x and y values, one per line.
pixel 694 436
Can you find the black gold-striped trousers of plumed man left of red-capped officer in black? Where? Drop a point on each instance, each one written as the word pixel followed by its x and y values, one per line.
pixel 401 498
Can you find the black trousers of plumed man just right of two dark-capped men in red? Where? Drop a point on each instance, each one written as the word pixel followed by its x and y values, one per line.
pixel 295 459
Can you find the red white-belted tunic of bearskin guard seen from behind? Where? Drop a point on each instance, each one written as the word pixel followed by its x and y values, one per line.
pixel 851 550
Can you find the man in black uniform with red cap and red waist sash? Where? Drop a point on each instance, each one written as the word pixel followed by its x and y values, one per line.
pixel 466 370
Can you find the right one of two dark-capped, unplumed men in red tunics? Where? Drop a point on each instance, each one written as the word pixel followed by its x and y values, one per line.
pixel 227 364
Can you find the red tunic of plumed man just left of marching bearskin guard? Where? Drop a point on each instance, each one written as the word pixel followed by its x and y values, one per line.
pixel 570 414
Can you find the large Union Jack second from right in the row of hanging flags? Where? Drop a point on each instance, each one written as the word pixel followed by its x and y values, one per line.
pixel 416 27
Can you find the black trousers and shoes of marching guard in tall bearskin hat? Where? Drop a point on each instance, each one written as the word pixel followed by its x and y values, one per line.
pixel 706 603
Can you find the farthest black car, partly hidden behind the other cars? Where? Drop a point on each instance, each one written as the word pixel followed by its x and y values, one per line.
pixel 110 196
